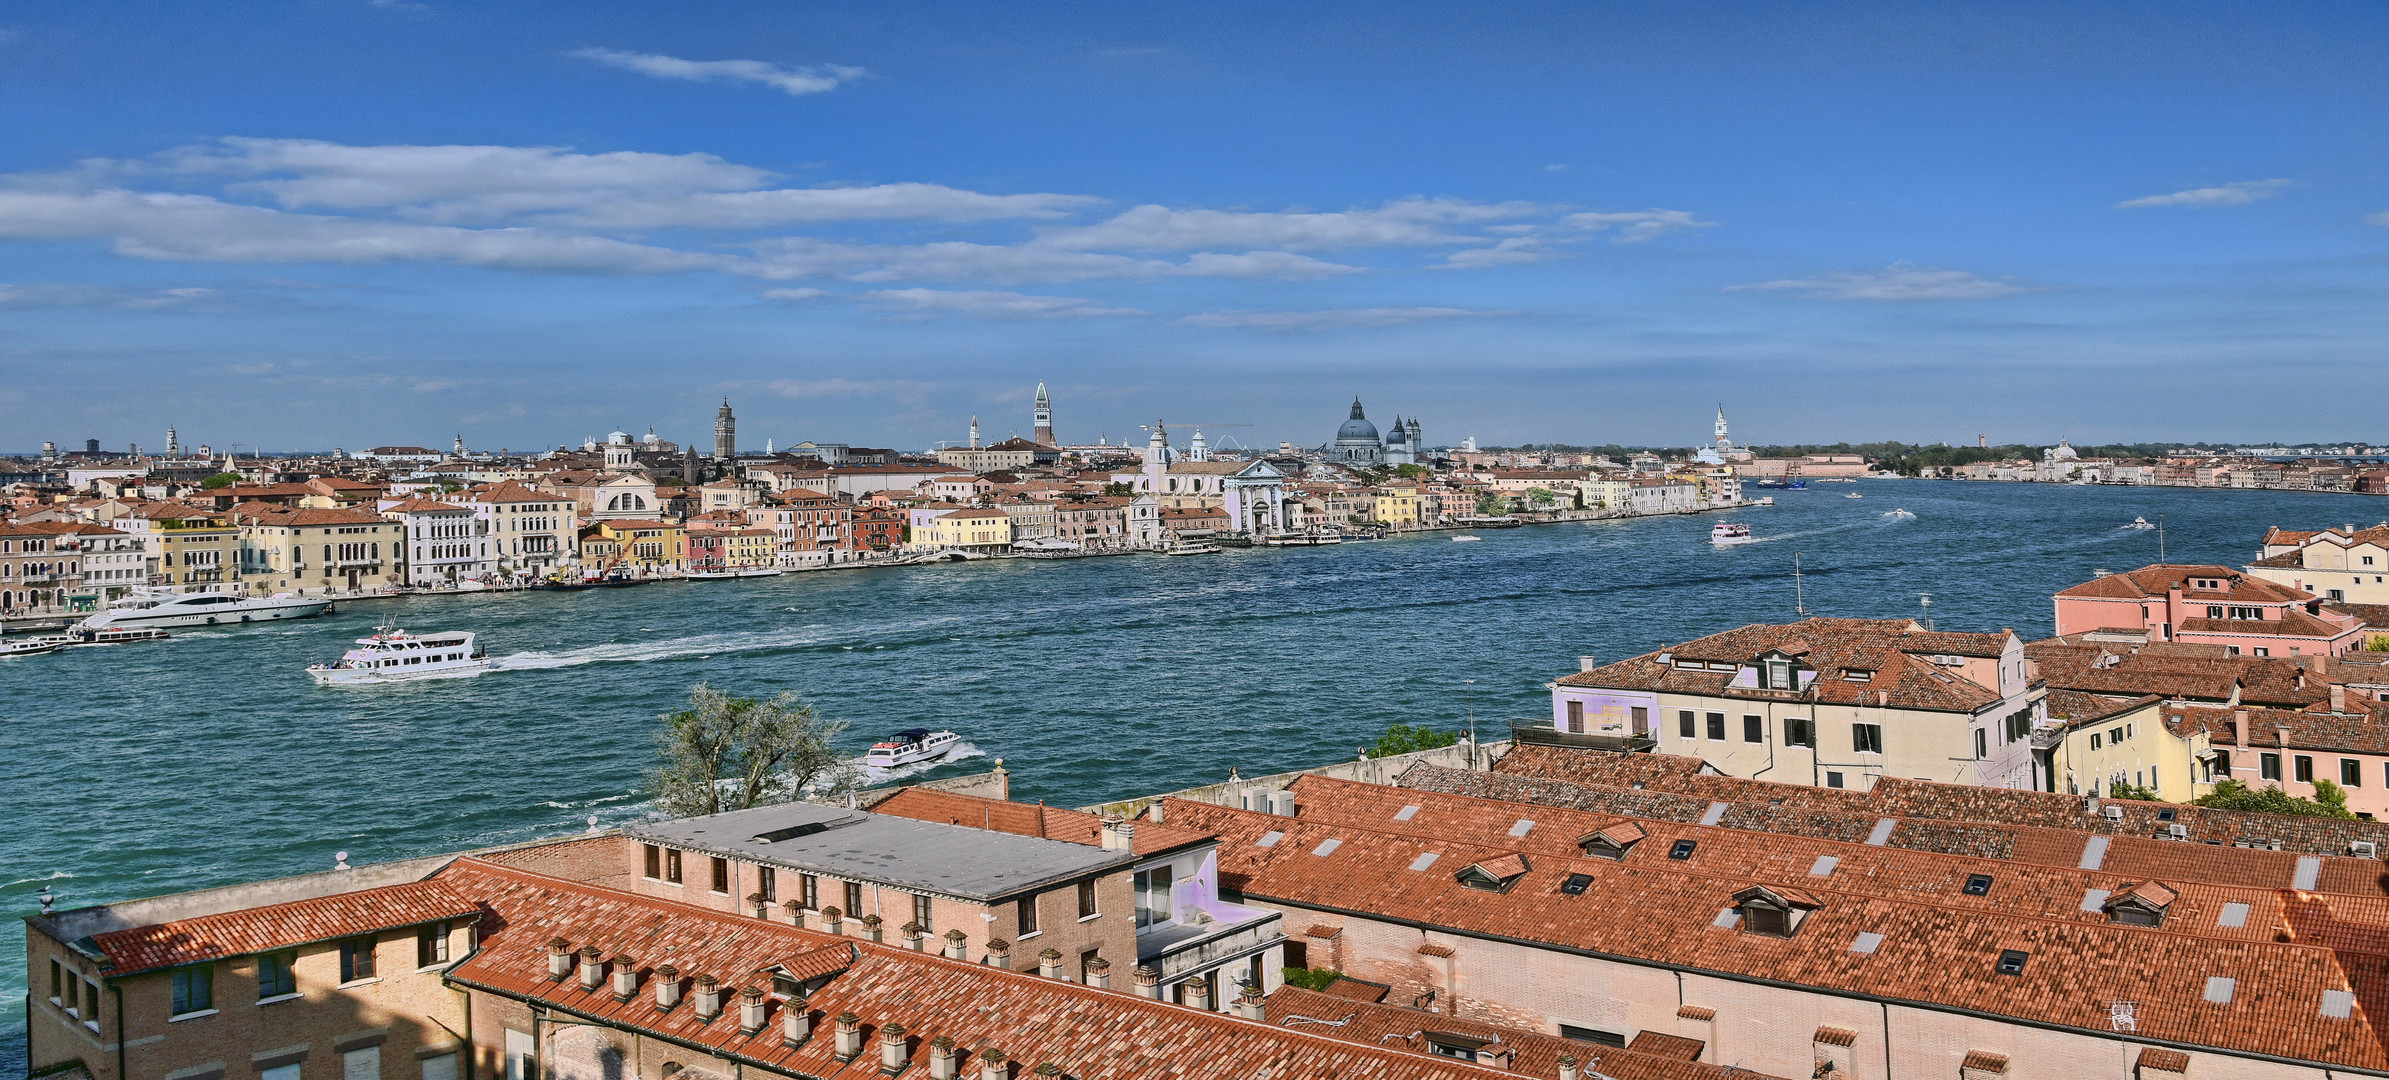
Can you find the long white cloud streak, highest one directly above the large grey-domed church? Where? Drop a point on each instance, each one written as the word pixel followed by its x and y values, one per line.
pixel 1404 223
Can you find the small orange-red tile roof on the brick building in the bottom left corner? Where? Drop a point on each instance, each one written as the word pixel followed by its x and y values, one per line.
pixel 283 926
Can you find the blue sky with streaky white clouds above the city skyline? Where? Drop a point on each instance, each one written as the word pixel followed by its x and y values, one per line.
pixel 360 223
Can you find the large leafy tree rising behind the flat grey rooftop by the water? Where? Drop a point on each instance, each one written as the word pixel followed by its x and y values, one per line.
pixel 735 754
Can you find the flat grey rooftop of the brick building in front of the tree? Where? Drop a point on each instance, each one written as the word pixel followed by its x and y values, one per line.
pixel 864 847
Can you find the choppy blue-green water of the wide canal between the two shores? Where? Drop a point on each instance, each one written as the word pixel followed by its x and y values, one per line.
pixel 214 759
